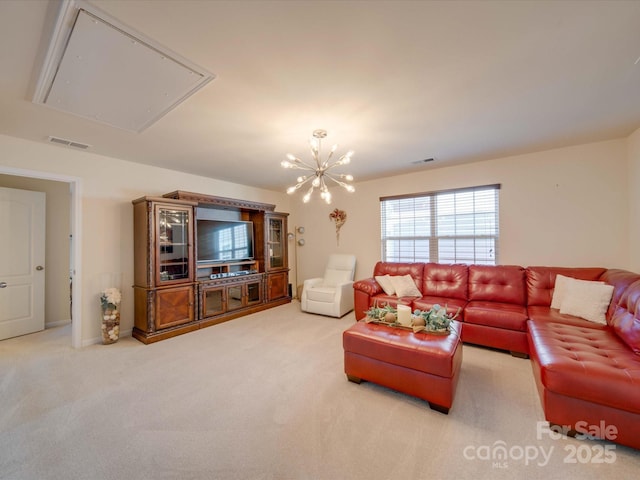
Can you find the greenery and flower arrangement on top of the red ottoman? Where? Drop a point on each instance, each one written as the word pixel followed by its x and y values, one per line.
pixel 435 320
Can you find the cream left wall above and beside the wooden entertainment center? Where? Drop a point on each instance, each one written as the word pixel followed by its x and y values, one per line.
pixel 108 186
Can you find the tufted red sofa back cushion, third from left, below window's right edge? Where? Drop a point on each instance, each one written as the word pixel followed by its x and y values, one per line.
pixel 500 283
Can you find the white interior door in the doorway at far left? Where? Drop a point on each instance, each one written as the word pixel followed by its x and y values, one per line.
pixel 22 241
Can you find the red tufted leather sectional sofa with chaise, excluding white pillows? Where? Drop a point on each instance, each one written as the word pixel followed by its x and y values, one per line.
pixel 587 374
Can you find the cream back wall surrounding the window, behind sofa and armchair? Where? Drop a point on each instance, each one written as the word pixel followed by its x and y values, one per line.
pixel 564 207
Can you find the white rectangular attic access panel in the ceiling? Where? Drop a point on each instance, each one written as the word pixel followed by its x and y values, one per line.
pixel 114 77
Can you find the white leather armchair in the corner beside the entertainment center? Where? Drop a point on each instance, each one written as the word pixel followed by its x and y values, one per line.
pixel 332 294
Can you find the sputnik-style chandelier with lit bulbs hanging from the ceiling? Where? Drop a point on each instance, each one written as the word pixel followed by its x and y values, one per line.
pixel 319 173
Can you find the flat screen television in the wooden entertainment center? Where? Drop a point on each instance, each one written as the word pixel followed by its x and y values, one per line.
pixel 224 240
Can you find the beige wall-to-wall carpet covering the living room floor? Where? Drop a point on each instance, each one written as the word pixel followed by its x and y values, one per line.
pixel 265 397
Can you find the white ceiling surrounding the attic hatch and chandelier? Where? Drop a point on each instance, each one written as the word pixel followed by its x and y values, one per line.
pixel 398 82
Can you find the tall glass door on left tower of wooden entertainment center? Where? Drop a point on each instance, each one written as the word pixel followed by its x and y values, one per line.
pixel 173 244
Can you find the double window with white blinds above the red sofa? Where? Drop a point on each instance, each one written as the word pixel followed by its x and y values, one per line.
pixel 452 226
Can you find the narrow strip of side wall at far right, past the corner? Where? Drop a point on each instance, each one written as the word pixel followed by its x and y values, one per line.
pixel 633 144
